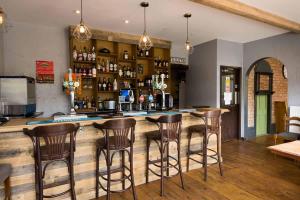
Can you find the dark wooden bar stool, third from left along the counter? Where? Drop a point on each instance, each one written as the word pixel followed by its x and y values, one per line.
pixel 169 131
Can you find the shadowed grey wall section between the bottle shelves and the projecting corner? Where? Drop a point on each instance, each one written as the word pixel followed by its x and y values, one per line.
pixel 201 83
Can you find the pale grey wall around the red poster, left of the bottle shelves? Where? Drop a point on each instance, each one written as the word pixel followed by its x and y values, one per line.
pixel 26 43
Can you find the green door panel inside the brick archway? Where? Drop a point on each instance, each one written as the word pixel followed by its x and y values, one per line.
pixel 261 114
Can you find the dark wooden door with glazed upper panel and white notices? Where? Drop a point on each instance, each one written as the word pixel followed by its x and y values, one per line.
pixel 230 80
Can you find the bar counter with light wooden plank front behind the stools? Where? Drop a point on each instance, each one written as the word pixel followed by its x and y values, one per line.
pixel 16 149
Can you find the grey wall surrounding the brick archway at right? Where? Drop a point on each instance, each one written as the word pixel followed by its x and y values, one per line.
pixel 286 48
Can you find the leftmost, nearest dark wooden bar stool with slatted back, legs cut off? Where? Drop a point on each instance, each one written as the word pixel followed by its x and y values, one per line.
pixel 55 143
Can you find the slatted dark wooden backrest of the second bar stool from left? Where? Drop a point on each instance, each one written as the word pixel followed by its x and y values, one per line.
pixel 119 129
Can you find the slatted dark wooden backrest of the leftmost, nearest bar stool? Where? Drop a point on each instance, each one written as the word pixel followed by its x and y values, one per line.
pixel 54 138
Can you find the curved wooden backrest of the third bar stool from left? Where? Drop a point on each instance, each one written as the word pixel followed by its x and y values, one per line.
pixel 170 126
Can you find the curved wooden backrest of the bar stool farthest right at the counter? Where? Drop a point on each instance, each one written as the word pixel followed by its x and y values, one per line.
pixel 214 117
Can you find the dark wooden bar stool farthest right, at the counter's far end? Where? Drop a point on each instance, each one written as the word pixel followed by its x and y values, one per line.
pixel 206 130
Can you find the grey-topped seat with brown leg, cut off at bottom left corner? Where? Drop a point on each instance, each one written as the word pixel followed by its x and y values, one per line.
pixel 5 172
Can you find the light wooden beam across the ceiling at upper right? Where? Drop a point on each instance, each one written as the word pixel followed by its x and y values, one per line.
pixel 242 9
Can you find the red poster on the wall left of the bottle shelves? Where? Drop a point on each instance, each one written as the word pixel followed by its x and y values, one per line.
pixel 44 71
